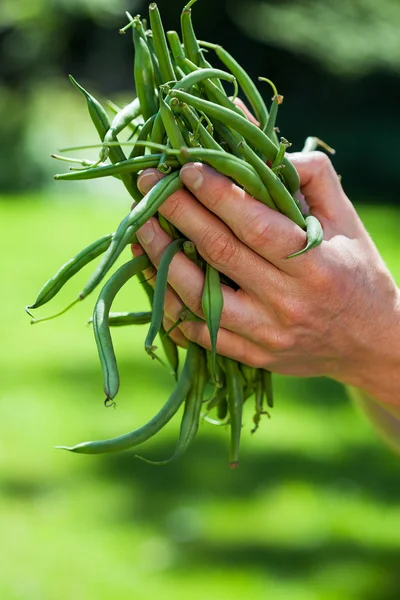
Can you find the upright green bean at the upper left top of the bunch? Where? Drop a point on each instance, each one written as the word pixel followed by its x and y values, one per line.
pixel 143 73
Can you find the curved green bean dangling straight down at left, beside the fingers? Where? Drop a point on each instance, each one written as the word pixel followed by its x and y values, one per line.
pixel 100 321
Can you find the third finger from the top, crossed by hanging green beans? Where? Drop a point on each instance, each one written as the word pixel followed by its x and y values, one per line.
pixel 187 279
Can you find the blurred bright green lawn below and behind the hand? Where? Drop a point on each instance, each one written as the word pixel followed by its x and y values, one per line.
pixel 313 512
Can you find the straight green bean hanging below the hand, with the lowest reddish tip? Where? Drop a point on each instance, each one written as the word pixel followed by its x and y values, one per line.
pixel 235 405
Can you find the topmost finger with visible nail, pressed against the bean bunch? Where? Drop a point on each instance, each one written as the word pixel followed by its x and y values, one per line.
pixel 267 232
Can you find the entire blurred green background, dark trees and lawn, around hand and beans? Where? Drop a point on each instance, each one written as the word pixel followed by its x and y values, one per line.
pixel 313 512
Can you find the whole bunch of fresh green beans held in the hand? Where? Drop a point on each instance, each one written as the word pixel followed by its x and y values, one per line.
pixel 181 113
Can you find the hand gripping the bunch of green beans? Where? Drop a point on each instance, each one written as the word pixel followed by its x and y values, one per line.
pixel 332 311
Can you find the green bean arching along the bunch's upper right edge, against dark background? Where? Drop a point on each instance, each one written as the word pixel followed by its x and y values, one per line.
pixel 246 83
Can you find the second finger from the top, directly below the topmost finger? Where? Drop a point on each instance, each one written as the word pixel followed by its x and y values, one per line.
pixel 214 240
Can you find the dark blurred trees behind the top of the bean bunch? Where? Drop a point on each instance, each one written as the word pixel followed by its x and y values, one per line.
pixel 337 63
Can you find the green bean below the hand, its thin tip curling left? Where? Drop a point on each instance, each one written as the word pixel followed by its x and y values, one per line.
pixel 191 415
